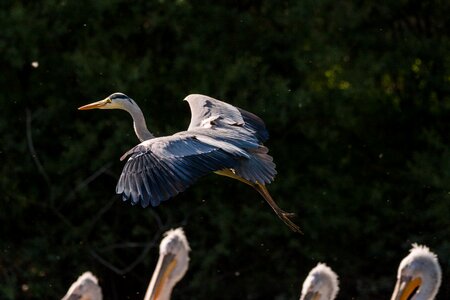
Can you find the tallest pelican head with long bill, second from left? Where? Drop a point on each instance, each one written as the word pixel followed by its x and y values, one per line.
pixel 172 265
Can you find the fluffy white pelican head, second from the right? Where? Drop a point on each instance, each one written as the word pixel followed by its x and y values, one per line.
pixel 321 284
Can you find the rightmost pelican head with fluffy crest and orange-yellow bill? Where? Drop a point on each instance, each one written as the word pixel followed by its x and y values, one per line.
pixel 419 275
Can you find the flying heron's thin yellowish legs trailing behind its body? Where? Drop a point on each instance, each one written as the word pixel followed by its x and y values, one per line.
pixel 284 216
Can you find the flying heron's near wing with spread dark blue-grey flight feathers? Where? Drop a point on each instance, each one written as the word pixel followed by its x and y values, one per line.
pixel 160 168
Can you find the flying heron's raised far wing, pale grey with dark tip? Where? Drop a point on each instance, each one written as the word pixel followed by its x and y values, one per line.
pixel 208 112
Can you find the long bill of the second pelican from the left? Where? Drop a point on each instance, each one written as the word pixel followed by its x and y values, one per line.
pixel 162 272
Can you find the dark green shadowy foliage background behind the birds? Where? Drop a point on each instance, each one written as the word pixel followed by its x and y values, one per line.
pixel 355 95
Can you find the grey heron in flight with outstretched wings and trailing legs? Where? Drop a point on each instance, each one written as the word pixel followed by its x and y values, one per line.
pixel 220 138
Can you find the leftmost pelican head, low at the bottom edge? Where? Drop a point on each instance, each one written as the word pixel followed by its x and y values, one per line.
pixel 85 288
